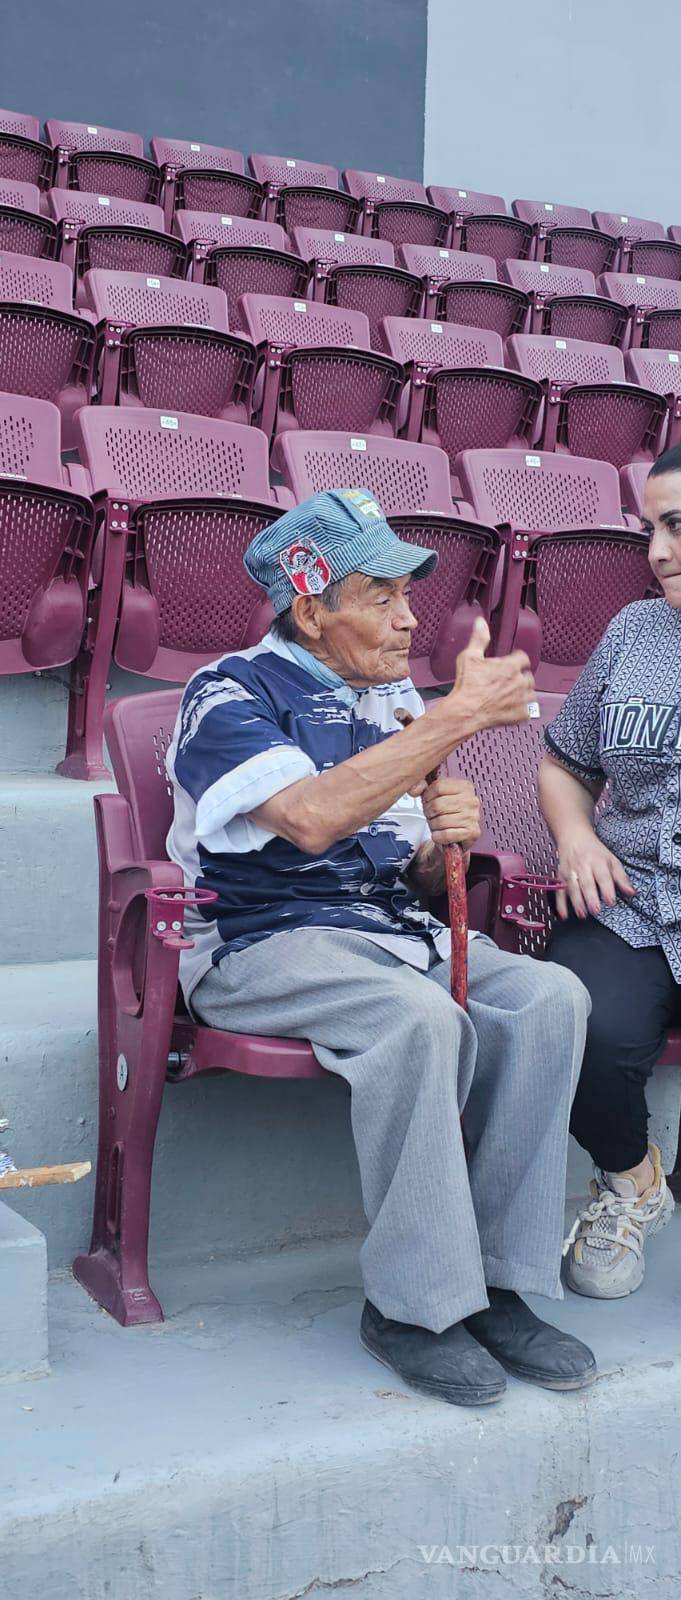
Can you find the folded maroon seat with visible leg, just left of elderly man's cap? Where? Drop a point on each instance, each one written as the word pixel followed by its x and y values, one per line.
pixel 178 500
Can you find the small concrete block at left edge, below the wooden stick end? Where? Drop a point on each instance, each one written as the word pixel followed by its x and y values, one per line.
pixel 23 1300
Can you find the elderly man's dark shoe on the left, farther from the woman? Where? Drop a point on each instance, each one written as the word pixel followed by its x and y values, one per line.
pixel 448 1366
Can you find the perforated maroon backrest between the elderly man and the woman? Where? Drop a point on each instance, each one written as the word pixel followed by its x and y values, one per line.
pixel 503 764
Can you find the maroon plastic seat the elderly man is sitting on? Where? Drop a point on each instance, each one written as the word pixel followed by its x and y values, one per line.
pixel 132 833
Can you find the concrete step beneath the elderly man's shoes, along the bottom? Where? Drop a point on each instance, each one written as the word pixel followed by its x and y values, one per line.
pixel 250 1449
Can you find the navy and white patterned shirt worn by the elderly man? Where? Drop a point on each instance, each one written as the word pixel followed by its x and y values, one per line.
pixel 250 726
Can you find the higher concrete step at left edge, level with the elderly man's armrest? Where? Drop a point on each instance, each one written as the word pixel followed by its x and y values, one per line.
pixel 49 863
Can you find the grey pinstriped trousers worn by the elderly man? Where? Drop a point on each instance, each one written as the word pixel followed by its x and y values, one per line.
pixel 444 1222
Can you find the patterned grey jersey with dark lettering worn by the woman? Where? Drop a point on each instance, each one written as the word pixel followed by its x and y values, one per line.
pixel 623 724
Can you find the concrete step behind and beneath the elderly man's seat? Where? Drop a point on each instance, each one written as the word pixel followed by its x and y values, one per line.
pixel 241 1166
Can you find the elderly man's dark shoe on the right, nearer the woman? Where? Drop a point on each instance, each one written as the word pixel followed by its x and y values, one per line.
pixel 532 1348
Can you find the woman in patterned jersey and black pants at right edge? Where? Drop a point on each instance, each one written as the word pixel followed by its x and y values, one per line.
pixel 621 908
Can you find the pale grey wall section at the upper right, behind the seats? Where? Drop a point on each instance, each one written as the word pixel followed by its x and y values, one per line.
pixel 570 102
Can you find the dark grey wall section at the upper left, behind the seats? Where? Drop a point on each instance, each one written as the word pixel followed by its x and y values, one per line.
pixel 337 81
